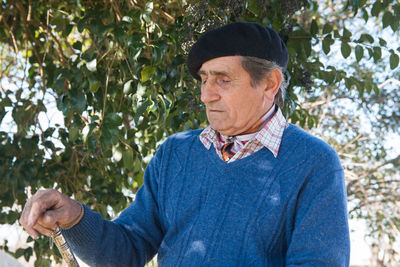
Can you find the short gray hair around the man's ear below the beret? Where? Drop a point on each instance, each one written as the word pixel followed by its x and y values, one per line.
pixel 258 68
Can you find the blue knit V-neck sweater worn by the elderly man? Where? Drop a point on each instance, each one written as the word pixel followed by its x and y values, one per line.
pixel 196 210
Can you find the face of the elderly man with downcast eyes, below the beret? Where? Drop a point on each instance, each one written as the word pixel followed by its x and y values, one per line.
pixel 232 104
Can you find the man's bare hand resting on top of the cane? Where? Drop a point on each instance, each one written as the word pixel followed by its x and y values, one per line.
pixel 46 210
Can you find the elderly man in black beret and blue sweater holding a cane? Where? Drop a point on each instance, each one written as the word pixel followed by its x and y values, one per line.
pixel 248 190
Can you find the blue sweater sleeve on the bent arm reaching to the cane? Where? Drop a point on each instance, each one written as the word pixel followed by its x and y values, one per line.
pixel 130 240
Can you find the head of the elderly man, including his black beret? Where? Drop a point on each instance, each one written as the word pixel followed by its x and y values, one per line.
pixel 240 66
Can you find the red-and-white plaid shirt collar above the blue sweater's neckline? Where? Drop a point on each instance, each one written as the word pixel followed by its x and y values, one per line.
pixel 269 136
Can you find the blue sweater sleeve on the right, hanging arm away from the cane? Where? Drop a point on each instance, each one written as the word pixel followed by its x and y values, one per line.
pixel 320 234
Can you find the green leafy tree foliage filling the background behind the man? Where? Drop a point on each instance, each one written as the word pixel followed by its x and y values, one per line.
pixel 116 70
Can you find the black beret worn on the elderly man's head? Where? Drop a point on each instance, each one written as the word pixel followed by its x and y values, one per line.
pixel 238 39
